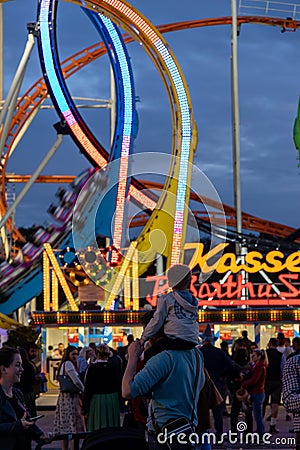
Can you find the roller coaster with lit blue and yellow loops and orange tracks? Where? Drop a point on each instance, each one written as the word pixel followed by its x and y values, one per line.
pixel 163 208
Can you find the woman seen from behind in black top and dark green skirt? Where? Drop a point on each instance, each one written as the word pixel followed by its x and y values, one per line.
pixel 101 395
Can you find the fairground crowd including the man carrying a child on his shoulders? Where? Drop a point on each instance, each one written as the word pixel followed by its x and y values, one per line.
pixel 165 382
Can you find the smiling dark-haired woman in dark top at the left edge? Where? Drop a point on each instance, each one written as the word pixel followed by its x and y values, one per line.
pixel 16 431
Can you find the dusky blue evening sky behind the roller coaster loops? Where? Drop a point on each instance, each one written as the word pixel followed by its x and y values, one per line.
pixel 269 86
